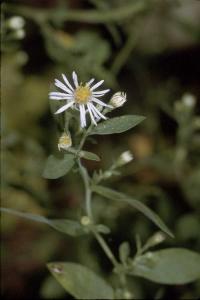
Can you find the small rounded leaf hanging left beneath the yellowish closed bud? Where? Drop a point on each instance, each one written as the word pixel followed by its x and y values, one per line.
pixel 56 167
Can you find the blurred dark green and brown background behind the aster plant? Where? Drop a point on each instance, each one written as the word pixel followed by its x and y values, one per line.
pixel 149 49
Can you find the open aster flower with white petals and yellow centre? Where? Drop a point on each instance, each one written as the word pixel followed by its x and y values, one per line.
pixel 82 97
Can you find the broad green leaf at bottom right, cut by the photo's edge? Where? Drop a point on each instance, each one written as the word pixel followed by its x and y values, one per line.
pixel 168 266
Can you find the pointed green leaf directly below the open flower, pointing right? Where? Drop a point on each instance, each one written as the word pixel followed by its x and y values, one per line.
pixel 117 125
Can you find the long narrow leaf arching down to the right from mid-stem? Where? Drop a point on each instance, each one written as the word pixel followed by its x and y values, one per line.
pixel 116 196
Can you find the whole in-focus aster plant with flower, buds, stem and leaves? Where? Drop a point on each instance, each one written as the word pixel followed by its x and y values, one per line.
pixel 85 116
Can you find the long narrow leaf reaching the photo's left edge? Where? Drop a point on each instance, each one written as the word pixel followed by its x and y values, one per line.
pixel 69 227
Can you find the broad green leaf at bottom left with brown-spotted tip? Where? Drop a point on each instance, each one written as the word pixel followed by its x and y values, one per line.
pixel 80 282
